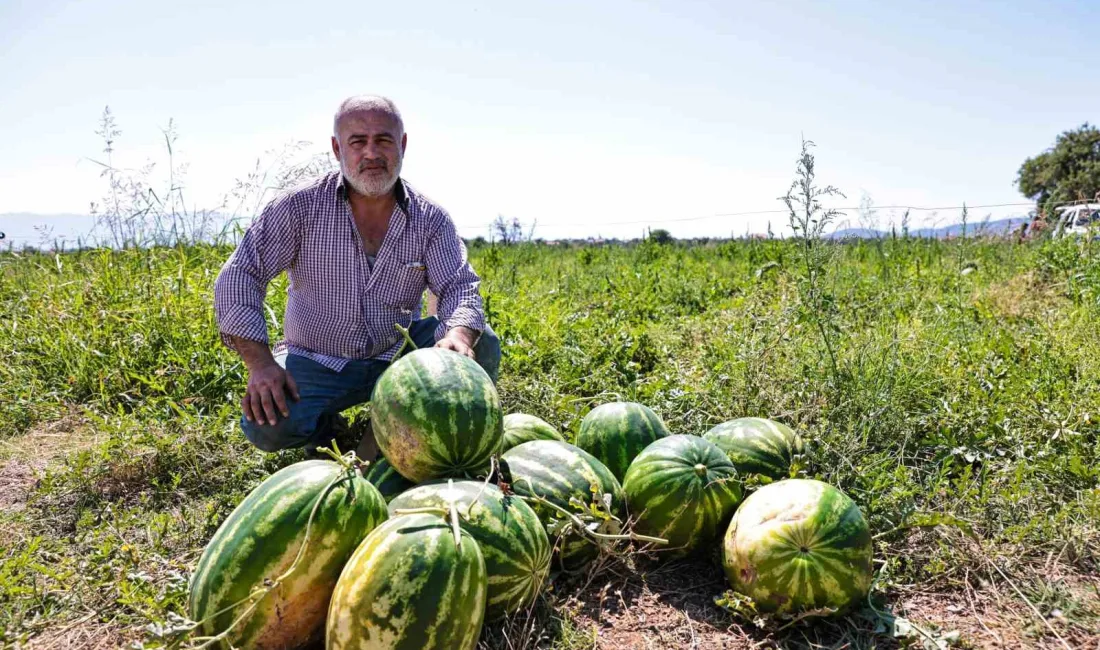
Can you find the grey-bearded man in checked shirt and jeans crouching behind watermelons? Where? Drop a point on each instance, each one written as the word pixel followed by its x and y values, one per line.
pixel 360 247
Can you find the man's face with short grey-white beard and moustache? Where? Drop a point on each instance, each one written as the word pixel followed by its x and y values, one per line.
pixel 370 148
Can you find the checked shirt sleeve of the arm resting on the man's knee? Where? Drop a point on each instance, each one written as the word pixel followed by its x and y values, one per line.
pixel 270 247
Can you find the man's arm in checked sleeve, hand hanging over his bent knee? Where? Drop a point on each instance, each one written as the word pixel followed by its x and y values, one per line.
pixel 269 248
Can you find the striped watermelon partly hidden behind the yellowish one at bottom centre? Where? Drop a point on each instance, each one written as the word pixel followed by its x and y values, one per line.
pixel 509 533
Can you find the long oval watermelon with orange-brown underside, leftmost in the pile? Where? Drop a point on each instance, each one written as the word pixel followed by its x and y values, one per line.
pixel 260 541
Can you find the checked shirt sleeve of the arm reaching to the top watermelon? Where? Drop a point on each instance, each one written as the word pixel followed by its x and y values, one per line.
pixel 454 280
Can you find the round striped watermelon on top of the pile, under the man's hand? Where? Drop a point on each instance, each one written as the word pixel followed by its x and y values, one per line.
pixel 435 414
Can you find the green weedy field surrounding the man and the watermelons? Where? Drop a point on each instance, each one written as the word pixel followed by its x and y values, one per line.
pixel 951 388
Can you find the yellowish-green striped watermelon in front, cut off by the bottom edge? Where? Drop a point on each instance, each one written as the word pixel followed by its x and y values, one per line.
pixel 411 587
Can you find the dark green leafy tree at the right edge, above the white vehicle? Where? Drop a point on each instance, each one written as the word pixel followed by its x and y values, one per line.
pixel 1070 171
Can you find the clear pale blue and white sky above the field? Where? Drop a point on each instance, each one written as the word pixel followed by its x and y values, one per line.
pixel 579 115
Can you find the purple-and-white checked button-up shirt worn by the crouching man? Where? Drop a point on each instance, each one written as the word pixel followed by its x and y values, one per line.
pixel 339 306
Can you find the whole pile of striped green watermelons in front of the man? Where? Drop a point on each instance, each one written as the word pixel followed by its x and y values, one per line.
pixel 481 506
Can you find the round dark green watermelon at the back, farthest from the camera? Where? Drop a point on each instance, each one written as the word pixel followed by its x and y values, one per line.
pixel 617 433
